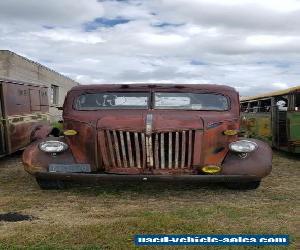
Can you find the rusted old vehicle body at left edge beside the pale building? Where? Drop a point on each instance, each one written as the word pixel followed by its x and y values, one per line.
pixel 24 115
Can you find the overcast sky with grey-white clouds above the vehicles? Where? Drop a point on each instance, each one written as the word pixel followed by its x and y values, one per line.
pixel 252 45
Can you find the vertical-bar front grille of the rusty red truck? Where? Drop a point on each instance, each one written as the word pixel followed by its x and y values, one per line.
pixel 164 150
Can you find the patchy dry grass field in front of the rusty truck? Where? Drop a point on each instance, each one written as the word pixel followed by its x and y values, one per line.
pixel 108 216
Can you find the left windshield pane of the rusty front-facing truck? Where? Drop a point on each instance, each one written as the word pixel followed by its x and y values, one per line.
pixel 117 100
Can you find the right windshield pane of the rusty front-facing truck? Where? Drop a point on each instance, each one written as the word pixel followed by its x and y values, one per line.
pixel 190 101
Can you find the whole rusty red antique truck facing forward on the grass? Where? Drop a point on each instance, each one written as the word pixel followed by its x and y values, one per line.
pixel 150 132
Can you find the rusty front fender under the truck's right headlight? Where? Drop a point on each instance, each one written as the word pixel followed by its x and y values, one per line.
pixel 258 162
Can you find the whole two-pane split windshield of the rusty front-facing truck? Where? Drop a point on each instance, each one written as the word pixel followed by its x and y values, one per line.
pixel 161 100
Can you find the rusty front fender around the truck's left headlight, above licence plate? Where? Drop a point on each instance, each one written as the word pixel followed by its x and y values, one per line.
pixel 35 160
